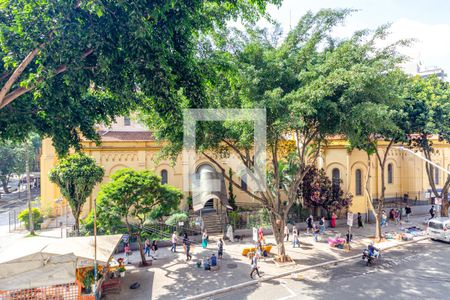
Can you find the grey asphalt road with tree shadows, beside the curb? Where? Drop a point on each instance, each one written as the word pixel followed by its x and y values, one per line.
pixel 416 271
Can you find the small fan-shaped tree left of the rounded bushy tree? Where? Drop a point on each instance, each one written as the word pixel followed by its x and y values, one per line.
pixel 76 176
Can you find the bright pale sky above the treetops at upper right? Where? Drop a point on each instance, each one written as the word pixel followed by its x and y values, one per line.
pixel 427 21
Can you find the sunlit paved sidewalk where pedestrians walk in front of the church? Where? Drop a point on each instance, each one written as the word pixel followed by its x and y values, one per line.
pixel 171 277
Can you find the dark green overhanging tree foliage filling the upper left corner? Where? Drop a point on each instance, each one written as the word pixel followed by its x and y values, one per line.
pixel 69 65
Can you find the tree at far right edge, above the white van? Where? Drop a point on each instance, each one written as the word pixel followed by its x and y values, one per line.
pixel 428 111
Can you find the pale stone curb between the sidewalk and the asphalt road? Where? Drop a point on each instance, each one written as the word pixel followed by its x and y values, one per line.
pixel 284 274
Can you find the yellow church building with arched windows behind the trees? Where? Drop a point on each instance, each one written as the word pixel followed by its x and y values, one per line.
pixel 127 144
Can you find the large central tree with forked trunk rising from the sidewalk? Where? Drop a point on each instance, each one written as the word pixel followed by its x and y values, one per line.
pixel 306 83
